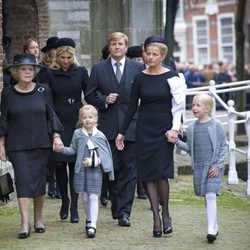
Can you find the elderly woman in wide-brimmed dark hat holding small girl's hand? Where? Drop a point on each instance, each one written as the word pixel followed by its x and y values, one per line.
pixel 28 124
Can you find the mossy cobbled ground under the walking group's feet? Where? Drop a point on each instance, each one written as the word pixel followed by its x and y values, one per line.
pixel 187 211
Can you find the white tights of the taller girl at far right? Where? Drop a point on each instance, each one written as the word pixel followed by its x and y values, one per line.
pixel 211 210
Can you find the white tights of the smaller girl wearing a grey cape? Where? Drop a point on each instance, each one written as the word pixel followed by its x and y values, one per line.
pixel 90 206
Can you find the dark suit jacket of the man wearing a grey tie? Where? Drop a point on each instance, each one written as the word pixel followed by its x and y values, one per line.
pixel 103 82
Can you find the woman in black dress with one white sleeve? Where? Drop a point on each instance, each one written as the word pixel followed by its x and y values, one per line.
pixel 162 102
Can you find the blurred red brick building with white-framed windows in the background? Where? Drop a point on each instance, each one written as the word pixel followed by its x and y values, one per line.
pixel 205 31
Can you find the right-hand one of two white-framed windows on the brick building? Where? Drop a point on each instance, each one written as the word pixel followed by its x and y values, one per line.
pixel 226 36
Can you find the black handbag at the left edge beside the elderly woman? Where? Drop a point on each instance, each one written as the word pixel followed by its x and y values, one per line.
pixel 6 187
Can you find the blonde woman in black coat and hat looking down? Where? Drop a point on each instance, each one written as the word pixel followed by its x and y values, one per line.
pixel 68 82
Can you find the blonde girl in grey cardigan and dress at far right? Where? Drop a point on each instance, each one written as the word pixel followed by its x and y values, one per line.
pixel 207 145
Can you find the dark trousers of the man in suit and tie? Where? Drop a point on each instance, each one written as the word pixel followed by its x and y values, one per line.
pixel 122 189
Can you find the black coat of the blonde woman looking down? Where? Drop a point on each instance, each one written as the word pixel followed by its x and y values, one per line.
pixel 67 88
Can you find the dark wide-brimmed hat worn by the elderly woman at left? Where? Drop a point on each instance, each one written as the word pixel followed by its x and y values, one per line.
pixel 25 59
